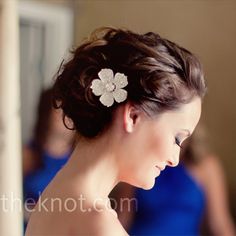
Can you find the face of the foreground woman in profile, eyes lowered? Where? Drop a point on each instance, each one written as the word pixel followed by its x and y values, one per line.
pixel 155 143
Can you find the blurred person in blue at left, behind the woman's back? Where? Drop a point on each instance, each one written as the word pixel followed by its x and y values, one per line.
pixel 46 153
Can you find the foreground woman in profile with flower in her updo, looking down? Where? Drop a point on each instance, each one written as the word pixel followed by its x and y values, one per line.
pixel 133 99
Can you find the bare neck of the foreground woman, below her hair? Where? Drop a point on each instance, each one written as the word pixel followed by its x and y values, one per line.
pixel 93 165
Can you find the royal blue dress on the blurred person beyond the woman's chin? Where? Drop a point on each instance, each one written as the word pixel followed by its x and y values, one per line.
pixel 174 206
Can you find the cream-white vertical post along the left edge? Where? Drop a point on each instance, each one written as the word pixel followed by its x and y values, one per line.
pixel 10 150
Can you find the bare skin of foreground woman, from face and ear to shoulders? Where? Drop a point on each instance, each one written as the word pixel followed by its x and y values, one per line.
pixel 94 172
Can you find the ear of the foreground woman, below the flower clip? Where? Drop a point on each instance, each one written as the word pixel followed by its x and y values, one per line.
pixel 131 117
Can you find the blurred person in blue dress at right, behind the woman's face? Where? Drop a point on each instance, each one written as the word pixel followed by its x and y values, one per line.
pixel 189 199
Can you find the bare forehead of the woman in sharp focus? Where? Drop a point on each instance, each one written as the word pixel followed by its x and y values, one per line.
pixel 186 117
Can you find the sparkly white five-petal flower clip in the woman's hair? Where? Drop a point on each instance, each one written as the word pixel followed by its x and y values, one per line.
pixel 110 87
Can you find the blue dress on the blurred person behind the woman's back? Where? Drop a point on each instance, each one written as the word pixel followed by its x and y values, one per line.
pixel 36 182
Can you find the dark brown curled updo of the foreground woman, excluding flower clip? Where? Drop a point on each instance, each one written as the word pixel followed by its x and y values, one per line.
pixel 161 76
